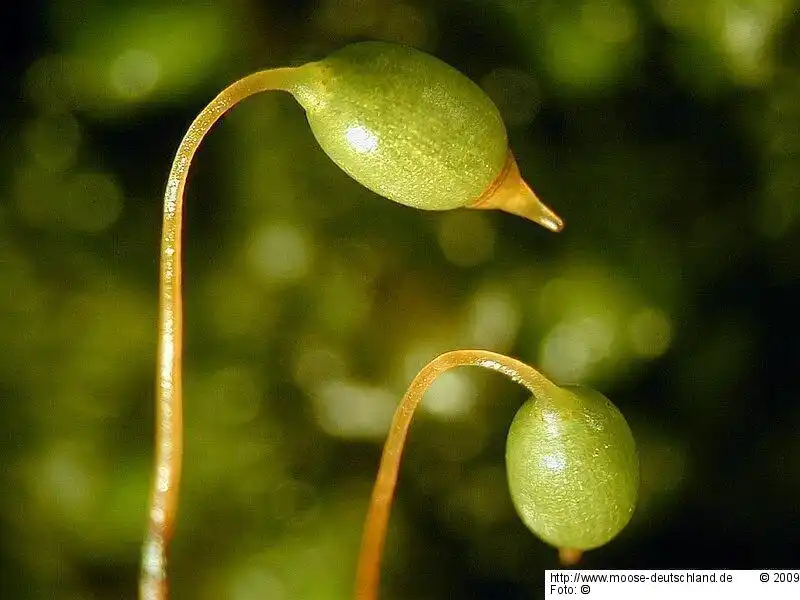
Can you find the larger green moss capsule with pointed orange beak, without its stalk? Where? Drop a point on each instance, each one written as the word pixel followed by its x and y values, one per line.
pixel 413 129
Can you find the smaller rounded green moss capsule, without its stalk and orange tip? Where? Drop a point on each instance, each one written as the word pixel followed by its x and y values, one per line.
pixel 573 471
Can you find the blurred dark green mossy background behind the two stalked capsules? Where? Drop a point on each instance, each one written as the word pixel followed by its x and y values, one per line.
pixel 665 132
